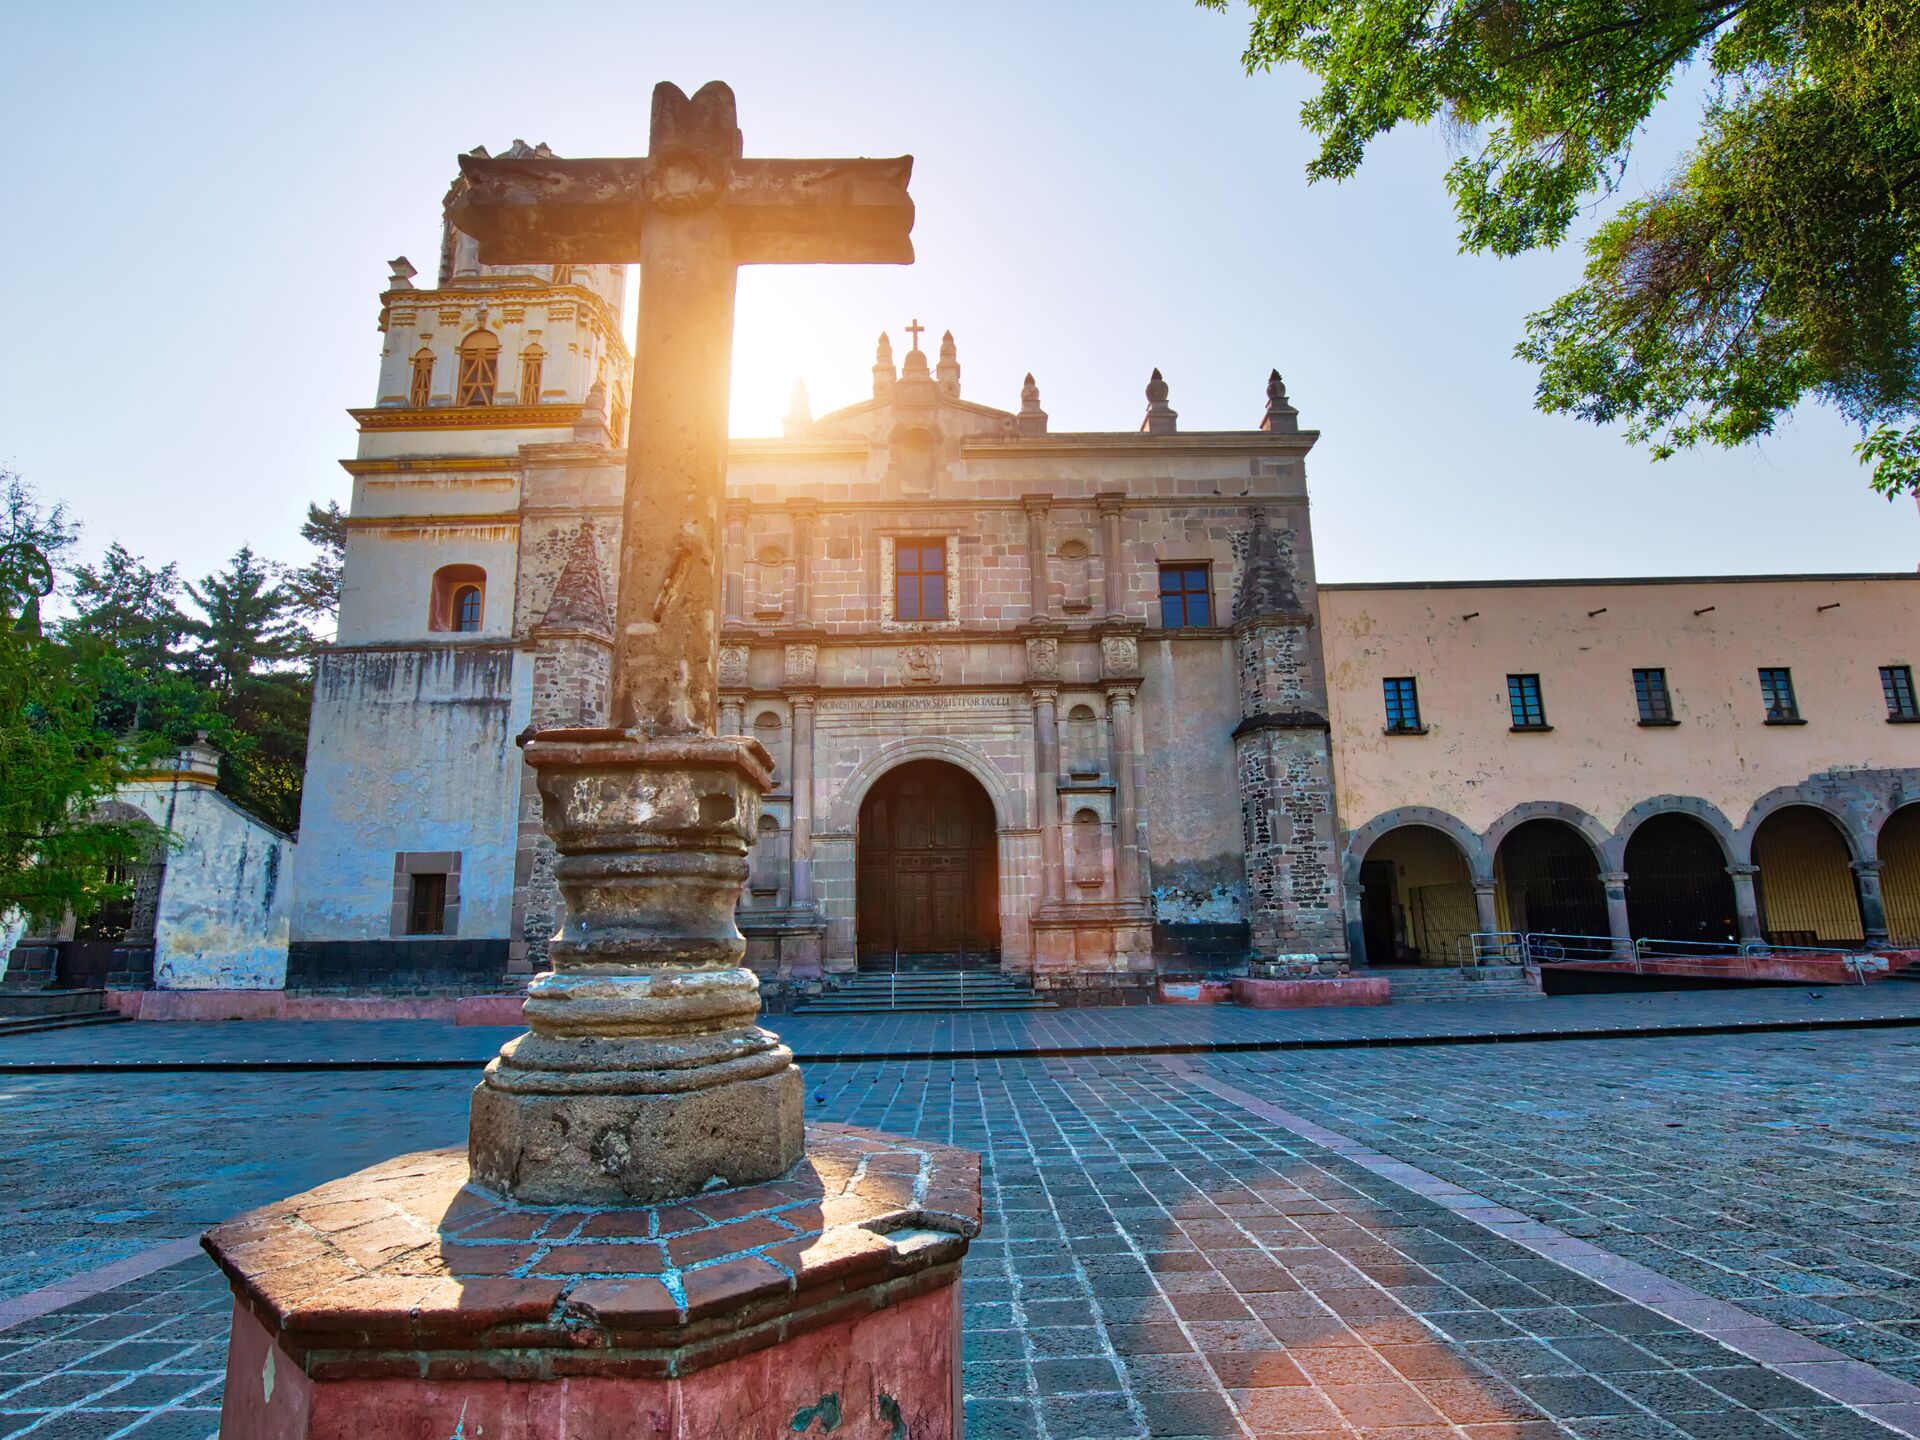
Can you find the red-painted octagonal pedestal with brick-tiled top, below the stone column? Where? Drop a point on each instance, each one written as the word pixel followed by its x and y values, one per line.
pixel 406 1305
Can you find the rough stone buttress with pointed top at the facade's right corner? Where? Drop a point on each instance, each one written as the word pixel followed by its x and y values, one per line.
pixel 1284 750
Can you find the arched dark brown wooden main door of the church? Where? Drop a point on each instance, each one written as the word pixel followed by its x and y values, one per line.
pixel 930 876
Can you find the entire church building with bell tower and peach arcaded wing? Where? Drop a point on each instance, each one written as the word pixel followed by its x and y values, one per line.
pixel 1063 704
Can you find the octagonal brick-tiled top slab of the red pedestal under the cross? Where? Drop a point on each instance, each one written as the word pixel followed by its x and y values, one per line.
pixel 412 1268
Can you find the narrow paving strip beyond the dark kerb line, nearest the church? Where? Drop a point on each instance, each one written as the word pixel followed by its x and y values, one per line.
pixel 815 1038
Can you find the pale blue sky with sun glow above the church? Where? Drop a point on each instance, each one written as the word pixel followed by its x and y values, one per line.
pixel 203 201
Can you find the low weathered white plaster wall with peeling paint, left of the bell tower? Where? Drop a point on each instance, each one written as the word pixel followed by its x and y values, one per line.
pixel 224 901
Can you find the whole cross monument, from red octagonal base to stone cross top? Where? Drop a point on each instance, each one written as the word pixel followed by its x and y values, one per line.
pixel 638 1241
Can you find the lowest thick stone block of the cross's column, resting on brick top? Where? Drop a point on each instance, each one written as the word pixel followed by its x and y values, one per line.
pixel 612 1149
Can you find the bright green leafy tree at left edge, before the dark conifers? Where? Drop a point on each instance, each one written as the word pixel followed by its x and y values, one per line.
pixel 57 761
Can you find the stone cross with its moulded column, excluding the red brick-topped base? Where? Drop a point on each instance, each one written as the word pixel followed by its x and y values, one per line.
pixel 646 1076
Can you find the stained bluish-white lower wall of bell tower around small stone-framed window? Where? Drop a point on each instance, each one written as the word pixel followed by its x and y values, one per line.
pixel 412 750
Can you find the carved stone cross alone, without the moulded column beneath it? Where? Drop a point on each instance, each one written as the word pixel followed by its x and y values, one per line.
pixel 692 212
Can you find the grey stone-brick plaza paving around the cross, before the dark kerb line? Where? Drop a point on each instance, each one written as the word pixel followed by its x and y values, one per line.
pixel 1159 1260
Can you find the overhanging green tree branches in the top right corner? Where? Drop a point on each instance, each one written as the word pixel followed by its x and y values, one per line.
pixel 1775 266
